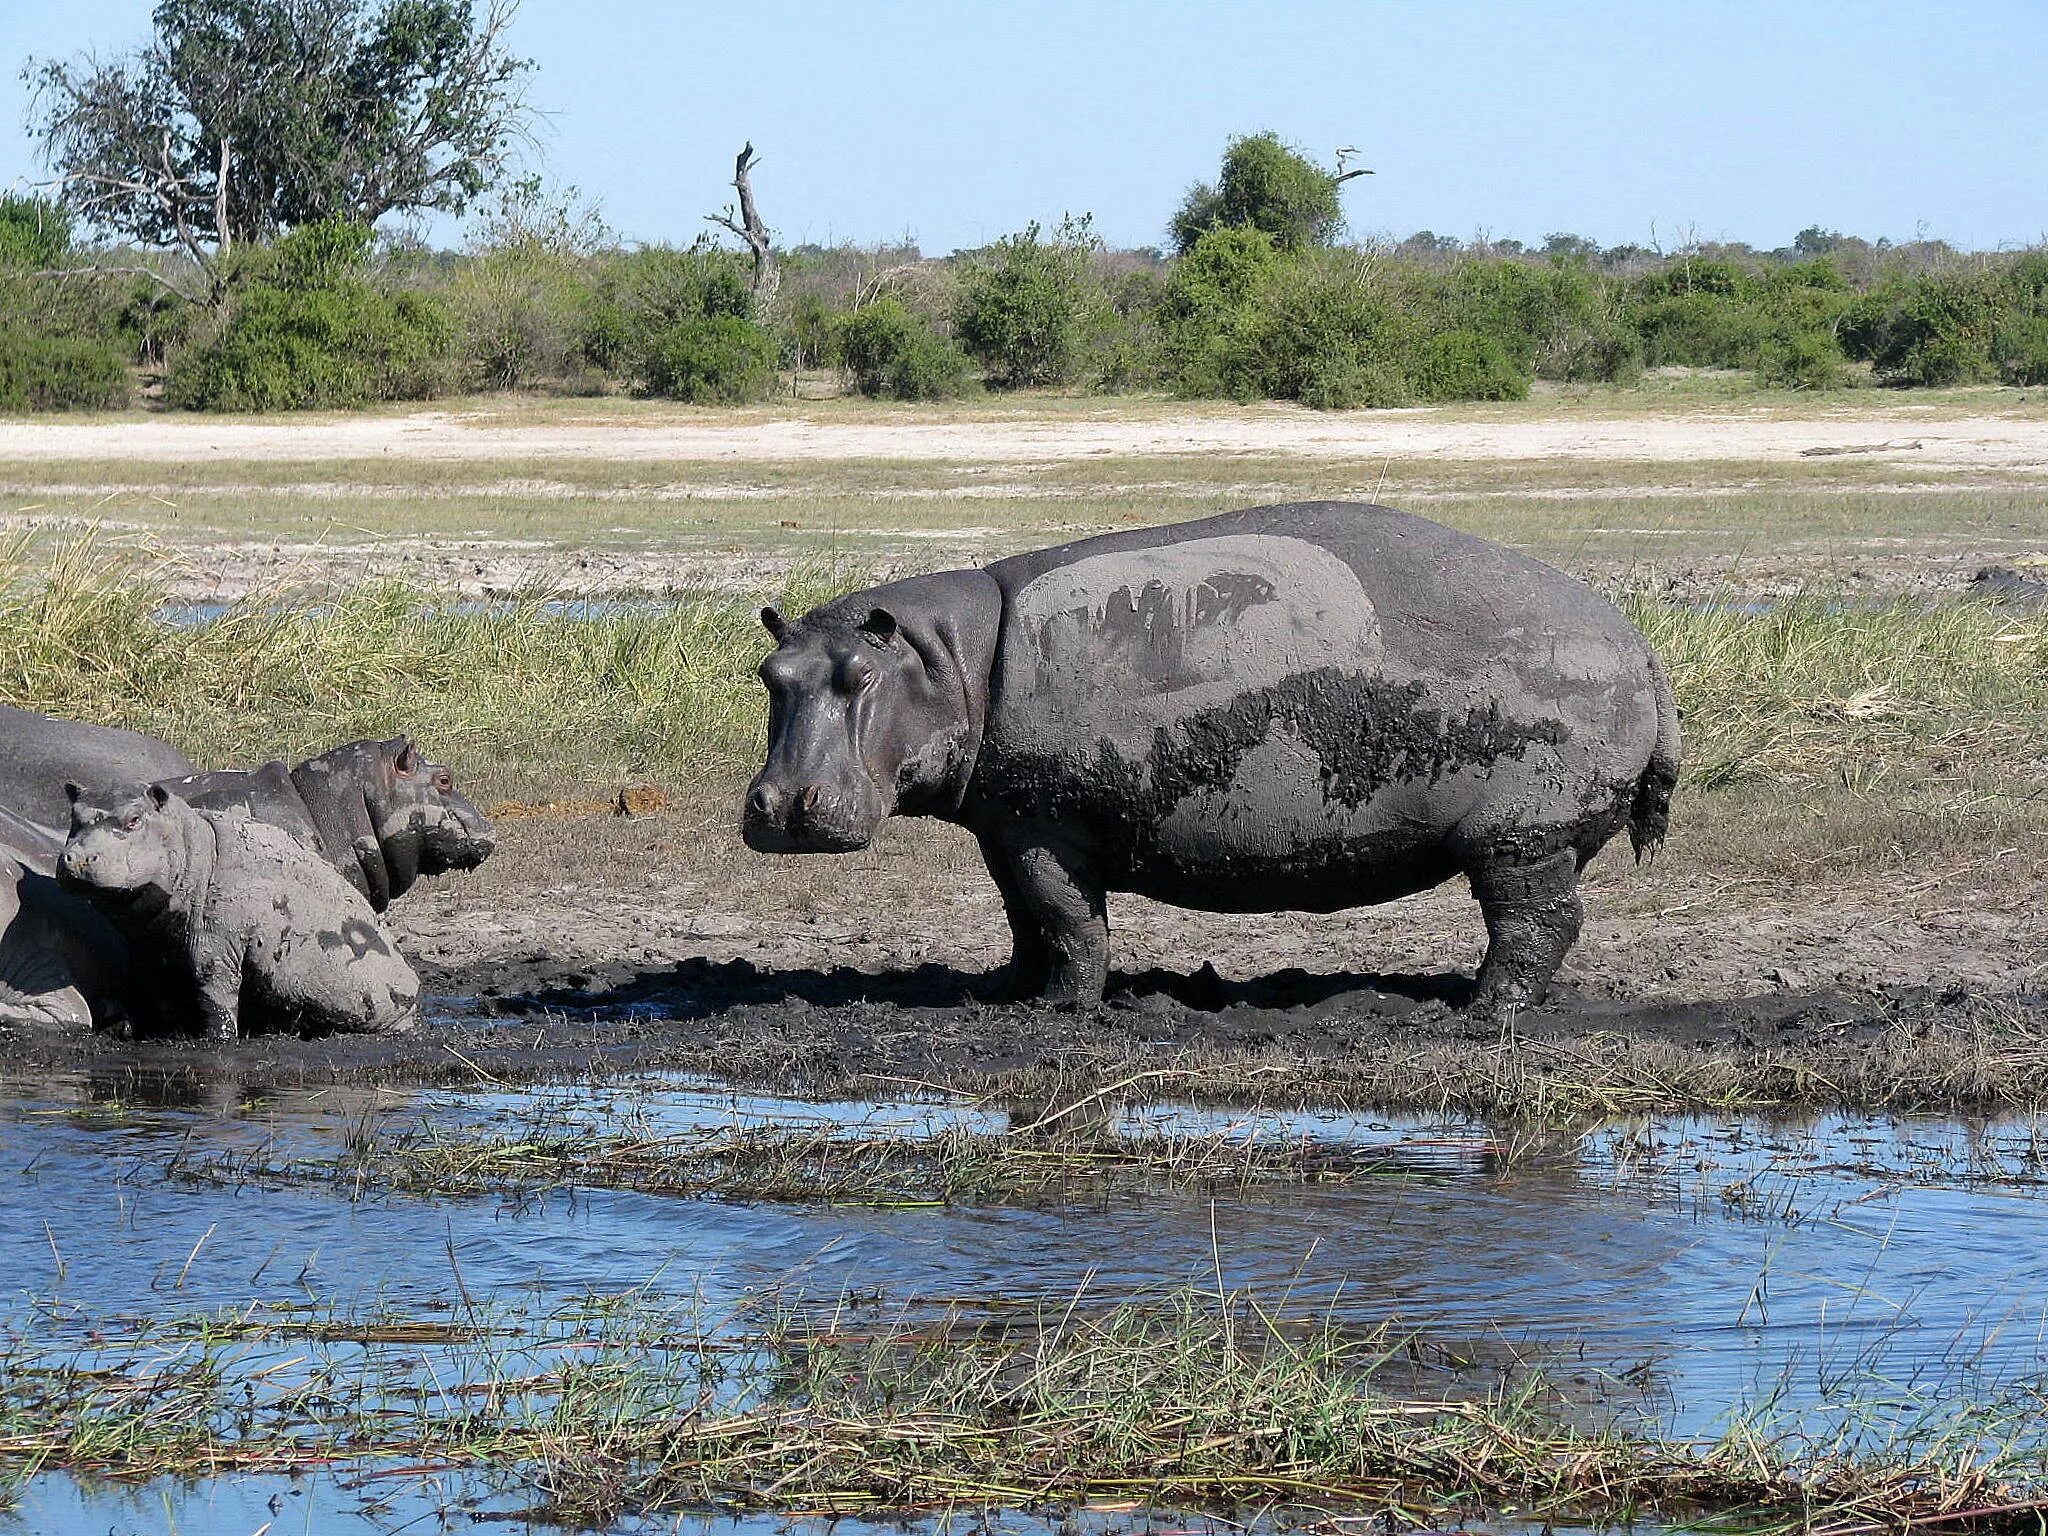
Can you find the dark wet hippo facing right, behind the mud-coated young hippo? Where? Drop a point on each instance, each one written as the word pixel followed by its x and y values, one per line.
pixel 380 812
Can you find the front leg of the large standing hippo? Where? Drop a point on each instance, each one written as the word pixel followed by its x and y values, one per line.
pixel 1058 916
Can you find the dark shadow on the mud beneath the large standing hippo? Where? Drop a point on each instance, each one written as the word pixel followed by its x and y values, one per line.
pixel 699 988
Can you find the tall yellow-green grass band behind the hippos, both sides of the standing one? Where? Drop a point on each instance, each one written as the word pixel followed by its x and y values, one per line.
pixel 540 693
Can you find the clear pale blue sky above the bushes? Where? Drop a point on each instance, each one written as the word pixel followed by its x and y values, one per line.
pixel 957 122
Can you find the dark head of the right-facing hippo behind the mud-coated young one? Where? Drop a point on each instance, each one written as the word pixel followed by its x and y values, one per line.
pixel 417 820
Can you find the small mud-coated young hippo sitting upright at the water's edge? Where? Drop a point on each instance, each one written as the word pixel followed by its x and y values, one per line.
pixel 255 925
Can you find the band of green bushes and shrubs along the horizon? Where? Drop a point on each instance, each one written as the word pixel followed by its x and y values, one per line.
pixel 1246 308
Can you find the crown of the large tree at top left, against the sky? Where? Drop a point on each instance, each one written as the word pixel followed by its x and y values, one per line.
pixel 243 120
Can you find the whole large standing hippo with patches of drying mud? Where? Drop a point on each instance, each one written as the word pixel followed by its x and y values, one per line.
pixel 1297 708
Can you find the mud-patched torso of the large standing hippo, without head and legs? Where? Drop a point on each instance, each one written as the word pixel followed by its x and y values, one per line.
pixel 1291 687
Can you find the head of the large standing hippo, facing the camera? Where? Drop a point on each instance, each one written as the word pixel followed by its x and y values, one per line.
pixel 871 712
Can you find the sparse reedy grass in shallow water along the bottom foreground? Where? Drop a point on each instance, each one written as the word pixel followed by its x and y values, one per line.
pixel 1185 1400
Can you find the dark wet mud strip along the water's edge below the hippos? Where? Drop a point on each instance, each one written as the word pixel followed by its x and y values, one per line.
pixel 1299 1037
